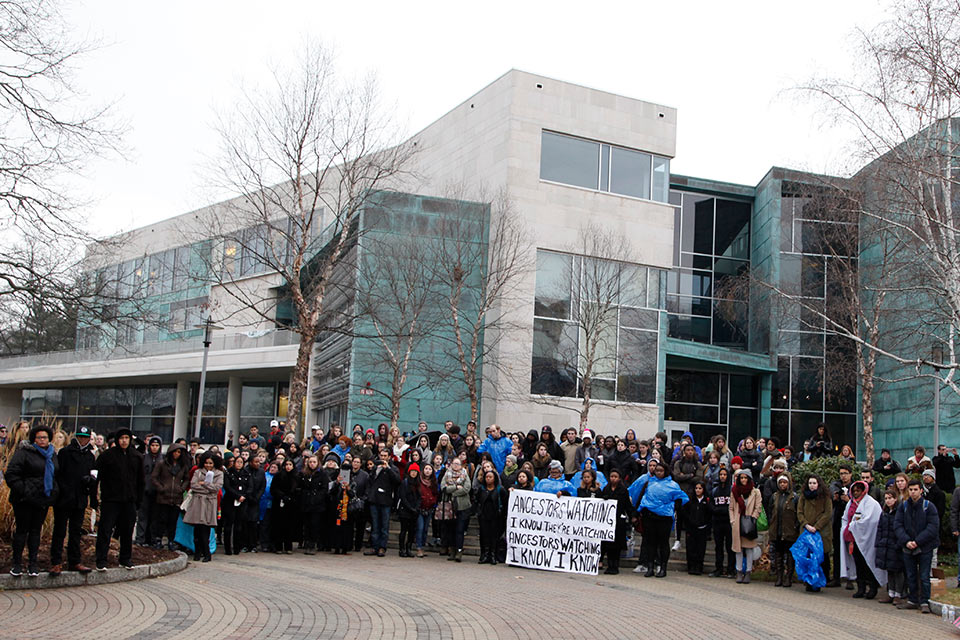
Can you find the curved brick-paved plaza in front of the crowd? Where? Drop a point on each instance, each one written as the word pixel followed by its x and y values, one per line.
pixel 326 596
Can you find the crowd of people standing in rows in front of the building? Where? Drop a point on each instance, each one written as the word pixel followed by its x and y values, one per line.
pixel 337 492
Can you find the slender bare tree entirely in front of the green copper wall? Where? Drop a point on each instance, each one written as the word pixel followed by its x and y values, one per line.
pixel 398 309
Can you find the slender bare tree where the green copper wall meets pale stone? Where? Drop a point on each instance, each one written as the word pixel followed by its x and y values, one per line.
pixel 478 281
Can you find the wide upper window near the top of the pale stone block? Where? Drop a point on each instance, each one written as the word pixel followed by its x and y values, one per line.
pixel 594 165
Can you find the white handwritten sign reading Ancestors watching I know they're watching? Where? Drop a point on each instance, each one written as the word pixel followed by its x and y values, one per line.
pixel 558 534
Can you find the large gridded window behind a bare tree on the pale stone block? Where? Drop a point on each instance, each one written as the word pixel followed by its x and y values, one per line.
pixel 623 325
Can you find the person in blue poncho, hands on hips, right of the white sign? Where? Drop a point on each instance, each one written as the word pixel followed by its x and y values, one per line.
pixel 658 498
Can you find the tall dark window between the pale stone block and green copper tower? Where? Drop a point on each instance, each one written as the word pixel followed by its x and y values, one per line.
pixel 711 254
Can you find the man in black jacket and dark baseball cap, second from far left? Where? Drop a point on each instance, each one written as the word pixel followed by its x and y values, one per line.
pixel 77 486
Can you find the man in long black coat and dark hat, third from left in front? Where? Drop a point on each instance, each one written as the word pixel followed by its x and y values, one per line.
pixel 120 474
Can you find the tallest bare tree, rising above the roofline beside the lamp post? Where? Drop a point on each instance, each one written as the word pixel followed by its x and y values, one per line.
pixel 306 154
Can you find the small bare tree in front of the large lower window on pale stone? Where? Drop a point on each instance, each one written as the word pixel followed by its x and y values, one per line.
pixel 604 281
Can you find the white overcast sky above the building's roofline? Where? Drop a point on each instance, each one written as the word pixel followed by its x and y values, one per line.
pixel 724 65
